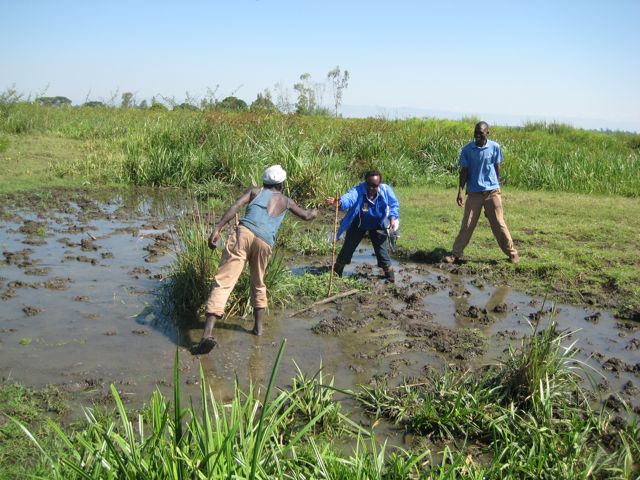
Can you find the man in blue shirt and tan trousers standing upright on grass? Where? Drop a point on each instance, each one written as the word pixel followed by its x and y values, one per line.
pixel 480 172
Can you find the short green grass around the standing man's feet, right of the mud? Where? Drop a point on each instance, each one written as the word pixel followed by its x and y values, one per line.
pixel 577 248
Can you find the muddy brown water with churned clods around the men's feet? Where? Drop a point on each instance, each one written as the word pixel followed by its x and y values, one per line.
pixel 81 308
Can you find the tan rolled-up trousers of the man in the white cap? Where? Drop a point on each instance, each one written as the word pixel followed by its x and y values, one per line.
pixel 242 245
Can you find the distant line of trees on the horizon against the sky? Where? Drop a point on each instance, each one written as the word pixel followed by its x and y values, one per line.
pixel 309 98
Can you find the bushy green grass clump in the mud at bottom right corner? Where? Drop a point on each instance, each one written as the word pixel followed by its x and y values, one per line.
pixel 527 417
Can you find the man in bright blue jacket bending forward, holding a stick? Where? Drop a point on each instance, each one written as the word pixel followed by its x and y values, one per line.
pixel 369 206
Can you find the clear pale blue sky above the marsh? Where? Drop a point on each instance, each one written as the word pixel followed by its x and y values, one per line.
pixel 575 61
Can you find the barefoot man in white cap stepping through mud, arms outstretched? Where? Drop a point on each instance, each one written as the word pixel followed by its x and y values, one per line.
pixel 253 240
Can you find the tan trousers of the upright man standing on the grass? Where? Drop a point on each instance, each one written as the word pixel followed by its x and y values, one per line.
pixel 492 203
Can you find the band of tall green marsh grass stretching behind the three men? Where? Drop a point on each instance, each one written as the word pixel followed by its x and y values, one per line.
pixel 322 155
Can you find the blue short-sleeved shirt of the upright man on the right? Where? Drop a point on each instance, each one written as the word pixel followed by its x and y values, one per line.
pixel 481 162
